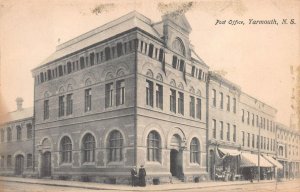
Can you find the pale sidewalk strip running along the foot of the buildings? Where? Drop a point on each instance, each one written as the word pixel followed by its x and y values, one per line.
pixel 101 186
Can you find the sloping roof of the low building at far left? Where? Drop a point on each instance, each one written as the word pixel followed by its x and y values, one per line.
pixel 17 115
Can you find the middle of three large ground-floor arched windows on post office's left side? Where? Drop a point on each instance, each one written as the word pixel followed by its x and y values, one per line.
pixel 88 144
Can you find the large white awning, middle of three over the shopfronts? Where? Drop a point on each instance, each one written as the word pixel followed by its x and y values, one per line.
pixel 251 160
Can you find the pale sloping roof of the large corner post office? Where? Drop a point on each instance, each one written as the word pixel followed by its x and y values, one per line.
pixel 124 23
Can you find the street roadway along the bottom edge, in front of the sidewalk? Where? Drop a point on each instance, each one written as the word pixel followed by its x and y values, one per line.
pixel 289 186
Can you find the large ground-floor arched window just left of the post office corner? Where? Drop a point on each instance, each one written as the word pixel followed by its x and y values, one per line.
pixel 115 146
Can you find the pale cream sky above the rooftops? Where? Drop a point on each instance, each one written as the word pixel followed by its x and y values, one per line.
pixel 256 57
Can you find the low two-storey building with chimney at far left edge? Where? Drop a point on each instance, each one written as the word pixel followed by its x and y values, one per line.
pixel 16 137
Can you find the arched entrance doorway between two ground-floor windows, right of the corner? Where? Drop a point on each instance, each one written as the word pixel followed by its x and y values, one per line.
pixel 176 157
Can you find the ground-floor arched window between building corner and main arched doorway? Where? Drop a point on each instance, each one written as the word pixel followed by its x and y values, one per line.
pixel 153 146
